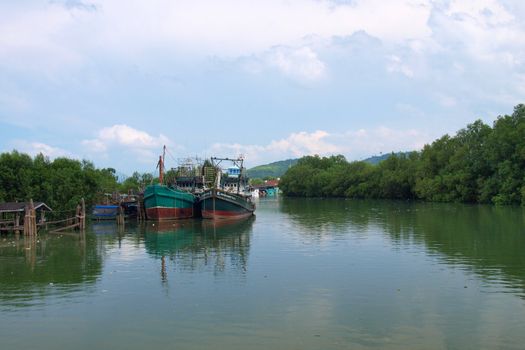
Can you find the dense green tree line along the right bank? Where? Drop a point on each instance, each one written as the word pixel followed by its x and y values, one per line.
pixel 479 164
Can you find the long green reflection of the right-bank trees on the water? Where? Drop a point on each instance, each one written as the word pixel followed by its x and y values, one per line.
pixel 486 240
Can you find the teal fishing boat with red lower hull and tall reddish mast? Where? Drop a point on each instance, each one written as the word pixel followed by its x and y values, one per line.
pixel 164 202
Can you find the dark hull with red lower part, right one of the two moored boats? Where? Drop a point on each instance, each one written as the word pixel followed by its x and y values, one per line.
pixel 218 204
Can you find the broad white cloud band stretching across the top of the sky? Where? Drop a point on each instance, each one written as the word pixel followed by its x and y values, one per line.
pixel 276 32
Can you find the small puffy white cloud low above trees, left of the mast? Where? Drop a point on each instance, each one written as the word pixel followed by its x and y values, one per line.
pixel 121 137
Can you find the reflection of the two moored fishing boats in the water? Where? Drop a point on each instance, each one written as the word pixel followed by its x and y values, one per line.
pixel 192 245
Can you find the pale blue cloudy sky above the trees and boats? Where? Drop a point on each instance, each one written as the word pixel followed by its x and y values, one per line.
pixel 114 81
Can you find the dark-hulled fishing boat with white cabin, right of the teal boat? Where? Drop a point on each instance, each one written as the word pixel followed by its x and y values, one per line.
pixel 229 197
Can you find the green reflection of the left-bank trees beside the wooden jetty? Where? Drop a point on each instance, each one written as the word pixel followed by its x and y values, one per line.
pixel 33 268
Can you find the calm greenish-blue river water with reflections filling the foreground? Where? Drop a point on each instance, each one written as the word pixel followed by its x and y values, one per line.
pixel 303 274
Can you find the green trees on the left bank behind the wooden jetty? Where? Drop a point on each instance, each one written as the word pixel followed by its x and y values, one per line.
pixel 60 183
